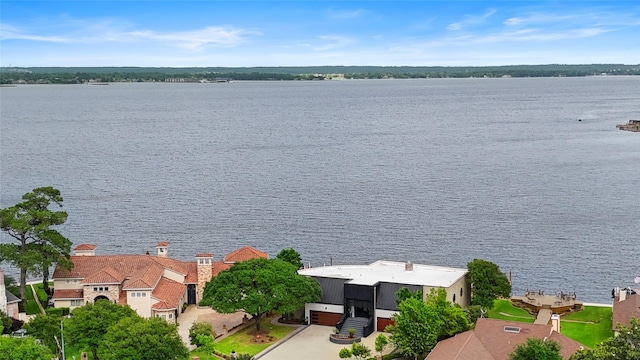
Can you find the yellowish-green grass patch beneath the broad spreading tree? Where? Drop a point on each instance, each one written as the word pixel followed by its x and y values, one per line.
pixel 241 340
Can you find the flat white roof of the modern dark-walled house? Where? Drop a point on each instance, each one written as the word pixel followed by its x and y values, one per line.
pixel 389 272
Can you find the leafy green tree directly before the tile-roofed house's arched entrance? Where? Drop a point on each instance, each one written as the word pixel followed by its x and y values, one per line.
pixel 89 323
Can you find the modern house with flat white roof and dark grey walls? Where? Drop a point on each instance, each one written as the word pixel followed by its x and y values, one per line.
pixel 368 291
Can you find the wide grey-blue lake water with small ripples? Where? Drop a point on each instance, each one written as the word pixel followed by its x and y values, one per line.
pixel 437 171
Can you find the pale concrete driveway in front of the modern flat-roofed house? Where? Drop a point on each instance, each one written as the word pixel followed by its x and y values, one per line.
pixel 312 343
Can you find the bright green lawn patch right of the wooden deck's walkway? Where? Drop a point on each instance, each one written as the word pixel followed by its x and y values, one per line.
pixel 583 331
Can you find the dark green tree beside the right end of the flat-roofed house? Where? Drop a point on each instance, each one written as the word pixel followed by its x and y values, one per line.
pixel 487 283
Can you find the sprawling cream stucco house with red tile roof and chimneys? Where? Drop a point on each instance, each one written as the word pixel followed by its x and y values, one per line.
pixel 151 285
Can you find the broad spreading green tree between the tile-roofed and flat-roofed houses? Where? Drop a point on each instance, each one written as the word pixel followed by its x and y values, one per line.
pixel 259 286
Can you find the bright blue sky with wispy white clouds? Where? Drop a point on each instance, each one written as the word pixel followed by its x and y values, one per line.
pixel 316 33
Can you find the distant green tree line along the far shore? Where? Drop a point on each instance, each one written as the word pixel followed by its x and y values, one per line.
pixel 79 75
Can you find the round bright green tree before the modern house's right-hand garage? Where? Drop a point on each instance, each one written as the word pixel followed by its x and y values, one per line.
pixel 415 328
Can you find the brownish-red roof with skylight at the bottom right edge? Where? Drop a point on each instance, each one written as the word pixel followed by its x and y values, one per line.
pixel 489 341
